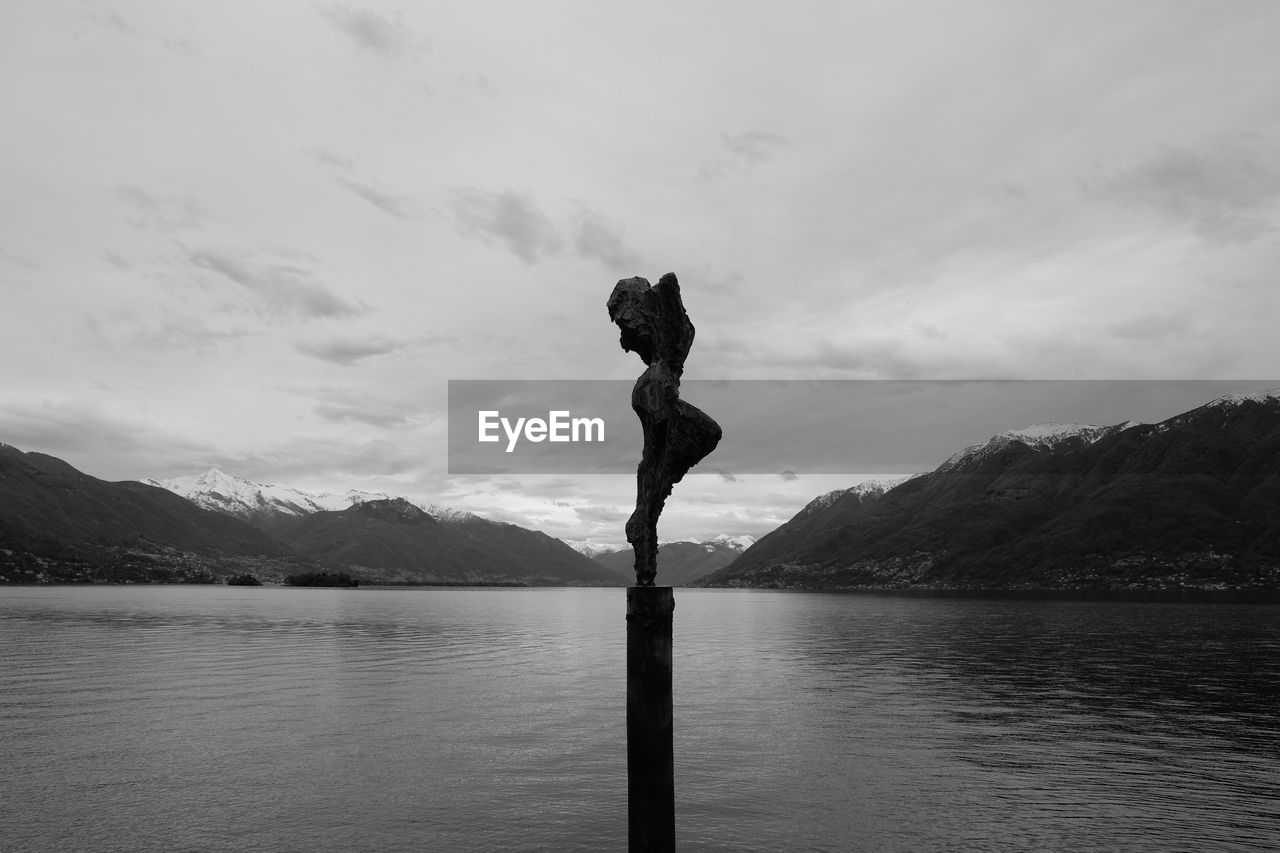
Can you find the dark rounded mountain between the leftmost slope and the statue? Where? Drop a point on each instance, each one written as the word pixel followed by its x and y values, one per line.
pixel 396 540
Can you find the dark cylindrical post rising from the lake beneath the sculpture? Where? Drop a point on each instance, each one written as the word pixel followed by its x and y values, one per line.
pixel 651 758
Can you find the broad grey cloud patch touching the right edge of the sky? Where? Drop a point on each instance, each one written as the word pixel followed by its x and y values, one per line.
pixel 1223 191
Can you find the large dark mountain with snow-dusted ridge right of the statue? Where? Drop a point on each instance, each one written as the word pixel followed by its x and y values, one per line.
pixel 1187 503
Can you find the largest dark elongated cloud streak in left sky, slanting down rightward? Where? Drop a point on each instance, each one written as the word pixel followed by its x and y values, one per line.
pixel 282 289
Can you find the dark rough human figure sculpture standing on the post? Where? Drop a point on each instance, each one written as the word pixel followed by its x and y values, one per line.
pixel 676 436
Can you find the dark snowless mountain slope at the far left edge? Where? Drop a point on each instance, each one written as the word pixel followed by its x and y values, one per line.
pixel 58 523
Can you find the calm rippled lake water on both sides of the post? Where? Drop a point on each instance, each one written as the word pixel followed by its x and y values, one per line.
pixel 230 719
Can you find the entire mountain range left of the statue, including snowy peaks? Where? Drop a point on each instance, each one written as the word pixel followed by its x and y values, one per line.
pixel 58 524
